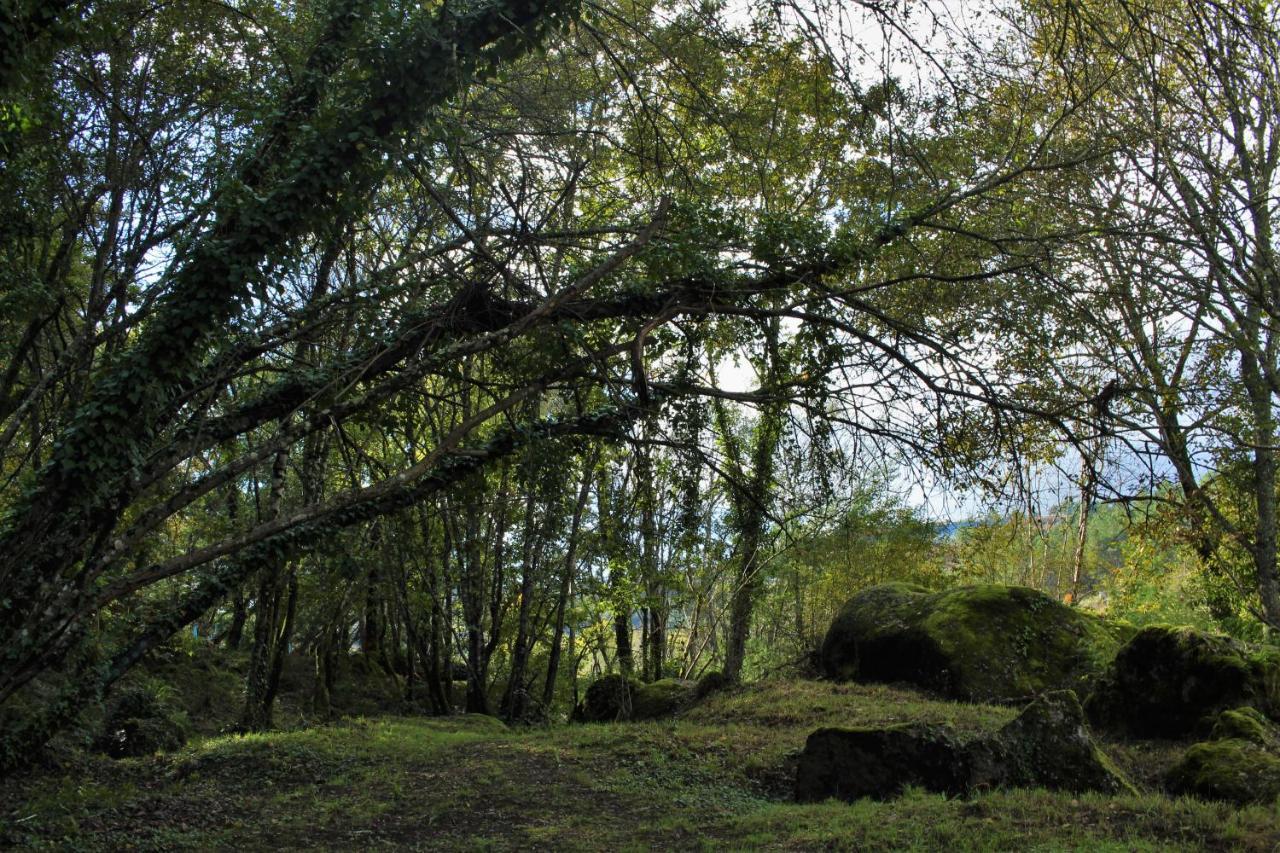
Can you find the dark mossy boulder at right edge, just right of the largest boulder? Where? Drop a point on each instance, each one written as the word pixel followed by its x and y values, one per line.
pixel 1172 682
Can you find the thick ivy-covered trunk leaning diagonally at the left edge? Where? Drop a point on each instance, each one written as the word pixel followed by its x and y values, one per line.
pixel 321 148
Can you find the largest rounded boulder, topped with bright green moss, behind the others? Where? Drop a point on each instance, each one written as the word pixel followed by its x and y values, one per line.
pixel 988 644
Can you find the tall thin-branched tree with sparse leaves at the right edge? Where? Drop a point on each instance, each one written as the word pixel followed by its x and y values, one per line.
pixel 1174 291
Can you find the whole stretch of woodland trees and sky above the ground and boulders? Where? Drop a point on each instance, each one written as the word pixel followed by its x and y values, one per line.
pixel 509 344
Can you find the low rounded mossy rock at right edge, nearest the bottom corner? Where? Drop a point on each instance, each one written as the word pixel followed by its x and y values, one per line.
pixel 1236 770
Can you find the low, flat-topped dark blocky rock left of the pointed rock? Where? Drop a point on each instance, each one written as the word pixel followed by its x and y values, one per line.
pixel 853 764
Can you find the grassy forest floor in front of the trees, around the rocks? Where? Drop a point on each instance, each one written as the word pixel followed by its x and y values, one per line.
pixel 716 778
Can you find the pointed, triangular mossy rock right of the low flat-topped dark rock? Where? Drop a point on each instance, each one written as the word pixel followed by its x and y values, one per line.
pixel 1046 746
